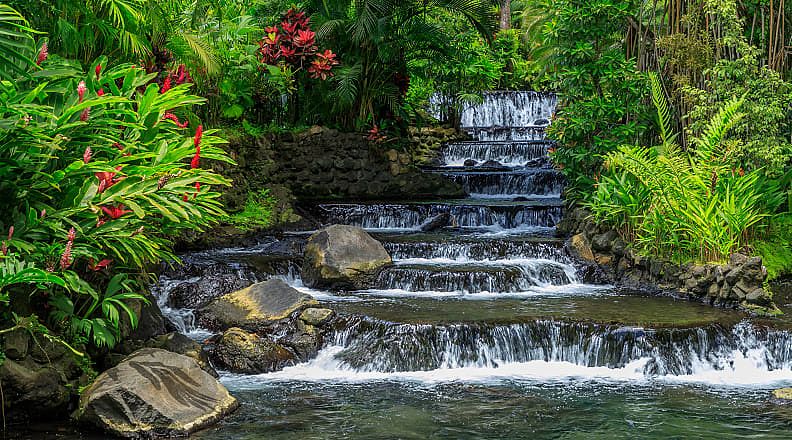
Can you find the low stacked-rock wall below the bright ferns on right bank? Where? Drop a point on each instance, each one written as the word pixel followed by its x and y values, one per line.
pixel 740 282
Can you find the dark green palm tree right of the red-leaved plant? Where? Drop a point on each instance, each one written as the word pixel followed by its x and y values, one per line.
pixel 376 38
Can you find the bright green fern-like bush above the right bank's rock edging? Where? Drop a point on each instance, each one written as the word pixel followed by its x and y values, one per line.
pixel 694 205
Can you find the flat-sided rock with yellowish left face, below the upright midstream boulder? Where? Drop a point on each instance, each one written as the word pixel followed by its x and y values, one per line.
pixel 255 308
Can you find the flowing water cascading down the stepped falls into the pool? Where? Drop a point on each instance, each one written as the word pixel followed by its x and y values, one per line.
pixel 489 330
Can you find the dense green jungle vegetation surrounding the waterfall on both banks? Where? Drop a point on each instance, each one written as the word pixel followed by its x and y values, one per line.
pixel 674 125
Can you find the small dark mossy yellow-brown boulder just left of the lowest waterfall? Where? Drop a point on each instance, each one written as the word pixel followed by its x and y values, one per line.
pixel 241 352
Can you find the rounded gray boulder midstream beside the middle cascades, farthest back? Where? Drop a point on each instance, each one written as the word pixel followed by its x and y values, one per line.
pixel 342 257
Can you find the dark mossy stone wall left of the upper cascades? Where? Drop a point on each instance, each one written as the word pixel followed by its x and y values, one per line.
pixel 325 164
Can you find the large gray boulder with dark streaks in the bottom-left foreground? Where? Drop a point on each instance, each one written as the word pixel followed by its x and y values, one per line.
pixel 153 393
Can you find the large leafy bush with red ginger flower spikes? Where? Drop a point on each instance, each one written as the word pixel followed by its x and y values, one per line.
pixel 97 170
